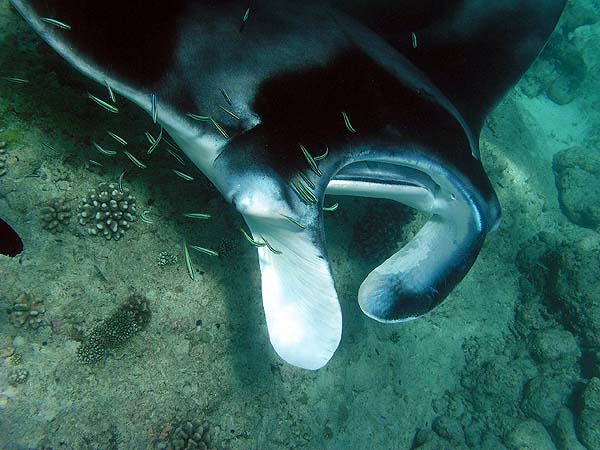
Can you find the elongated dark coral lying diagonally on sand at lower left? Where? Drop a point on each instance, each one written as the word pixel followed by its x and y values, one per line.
pixel 131 317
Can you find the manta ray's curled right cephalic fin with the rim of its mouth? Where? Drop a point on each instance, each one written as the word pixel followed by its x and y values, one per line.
pixel 422 273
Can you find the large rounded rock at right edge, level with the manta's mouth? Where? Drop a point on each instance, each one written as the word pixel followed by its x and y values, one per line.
pixel 577 171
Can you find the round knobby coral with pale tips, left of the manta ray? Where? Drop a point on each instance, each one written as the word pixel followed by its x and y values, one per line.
pixel 107 211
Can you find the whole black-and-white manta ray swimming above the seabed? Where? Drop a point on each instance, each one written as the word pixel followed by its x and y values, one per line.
pixel 281 102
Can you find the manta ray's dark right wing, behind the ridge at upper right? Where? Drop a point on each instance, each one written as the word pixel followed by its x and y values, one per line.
pixel 473 50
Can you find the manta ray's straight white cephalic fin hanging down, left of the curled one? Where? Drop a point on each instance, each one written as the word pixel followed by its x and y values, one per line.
pixel 299 298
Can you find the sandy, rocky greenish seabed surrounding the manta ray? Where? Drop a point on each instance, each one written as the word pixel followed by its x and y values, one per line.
pixel 108 344
